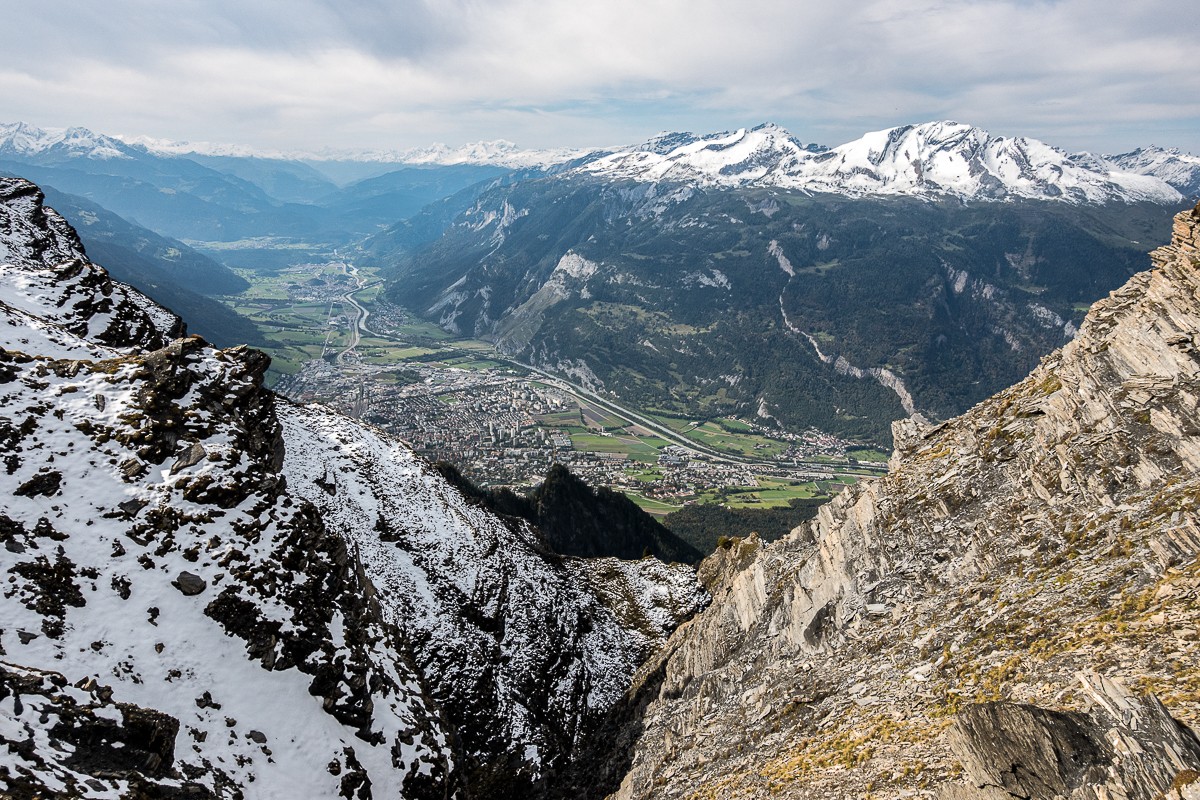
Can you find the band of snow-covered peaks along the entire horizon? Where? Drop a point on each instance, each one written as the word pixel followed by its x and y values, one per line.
pixel 939 158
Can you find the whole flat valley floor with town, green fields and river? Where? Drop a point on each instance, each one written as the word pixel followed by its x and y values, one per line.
pixel 505 424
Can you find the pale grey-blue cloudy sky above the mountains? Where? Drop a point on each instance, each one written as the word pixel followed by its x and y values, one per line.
pixel 1096 75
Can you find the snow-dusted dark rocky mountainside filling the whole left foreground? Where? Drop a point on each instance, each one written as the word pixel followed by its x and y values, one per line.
pixel 212 592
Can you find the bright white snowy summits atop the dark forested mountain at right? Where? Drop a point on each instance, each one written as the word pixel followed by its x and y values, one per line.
pixel 927 160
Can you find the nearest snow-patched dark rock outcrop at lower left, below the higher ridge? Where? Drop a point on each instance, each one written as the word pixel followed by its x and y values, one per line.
pixel 275 636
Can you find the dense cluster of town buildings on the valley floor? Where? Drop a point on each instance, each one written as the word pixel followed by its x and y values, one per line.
pixel 503 429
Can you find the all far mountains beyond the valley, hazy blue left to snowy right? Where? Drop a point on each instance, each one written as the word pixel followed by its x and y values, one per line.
pixel 915 269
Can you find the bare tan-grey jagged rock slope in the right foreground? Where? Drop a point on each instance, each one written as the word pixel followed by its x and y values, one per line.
pixel 1049 532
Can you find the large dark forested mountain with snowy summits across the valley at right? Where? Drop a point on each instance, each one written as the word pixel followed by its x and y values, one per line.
pixel 915 270
